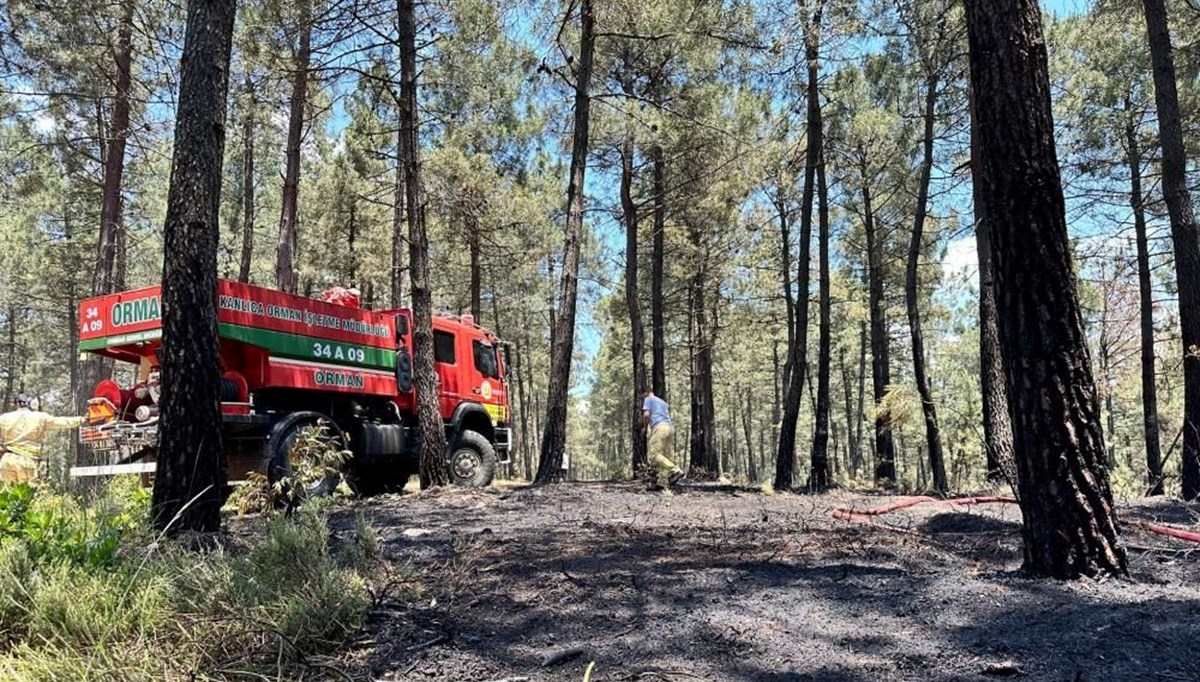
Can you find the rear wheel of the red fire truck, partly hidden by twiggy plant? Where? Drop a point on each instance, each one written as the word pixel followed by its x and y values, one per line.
pixel 305 457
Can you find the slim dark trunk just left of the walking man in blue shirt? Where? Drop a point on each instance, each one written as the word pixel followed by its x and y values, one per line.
pixel 633 306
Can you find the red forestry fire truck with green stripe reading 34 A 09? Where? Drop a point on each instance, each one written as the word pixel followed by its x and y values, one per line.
pixel 295 368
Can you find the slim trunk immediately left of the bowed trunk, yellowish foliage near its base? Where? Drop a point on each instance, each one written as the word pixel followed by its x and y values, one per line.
pixel 881 367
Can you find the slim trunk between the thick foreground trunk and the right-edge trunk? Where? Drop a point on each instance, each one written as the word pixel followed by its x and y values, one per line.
pixel 1149 386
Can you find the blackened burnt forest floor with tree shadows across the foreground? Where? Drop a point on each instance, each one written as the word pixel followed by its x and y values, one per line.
pixel 723 584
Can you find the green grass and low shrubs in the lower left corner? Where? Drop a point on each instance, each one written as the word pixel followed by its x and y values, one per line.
pixel 85 595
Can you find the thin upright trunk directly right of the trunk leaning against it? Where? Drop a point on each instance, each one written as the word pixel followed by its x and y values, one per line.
pixel 820 476
